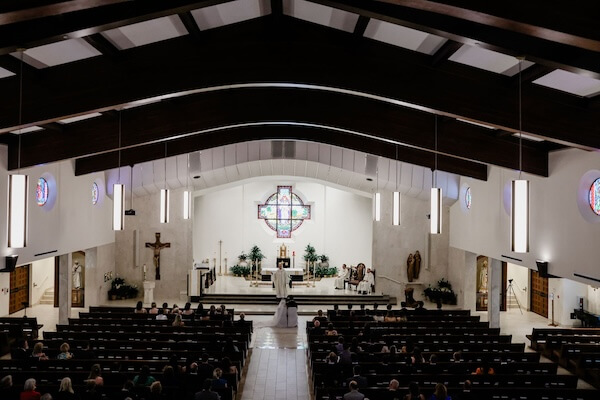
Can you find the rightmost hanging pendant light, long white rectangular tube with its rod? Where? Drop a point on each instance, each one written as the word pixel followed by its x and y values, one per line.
pixel 519 218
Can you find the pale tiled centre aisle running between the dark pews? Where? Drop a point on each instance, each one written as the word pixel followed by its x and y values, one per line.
pixel 278 365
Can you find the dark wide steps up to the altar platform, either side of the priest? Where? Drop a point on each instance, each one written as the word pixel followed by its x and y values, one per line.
pixel 301 299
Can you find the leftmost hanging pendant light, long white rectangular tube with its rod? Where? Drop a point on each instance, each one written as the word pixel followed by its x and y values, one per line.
pixel 18 188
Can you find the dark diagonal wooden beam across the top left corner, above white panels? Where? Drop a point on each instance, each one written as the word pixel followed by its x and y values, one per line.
pixel 24 28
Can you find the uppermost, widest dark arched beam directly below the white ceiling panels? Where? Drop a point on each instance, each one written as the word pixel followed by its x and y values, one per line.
pixel 306 53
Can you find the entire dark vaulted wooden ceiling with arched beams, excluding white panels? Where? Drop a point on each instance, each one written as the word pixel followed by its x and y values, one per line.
pixel 230 84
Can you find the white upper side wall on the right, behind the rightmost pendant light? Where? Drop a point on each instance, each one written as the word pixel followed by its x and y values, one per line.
pixel 559 233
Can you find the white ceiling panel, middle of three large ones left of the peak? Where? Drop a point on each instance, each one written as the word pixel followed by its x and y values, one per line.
pixel 146 32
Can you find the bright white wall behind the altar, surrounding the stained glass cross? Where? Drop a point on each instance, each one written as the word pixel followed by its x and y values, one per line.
pixel 340 224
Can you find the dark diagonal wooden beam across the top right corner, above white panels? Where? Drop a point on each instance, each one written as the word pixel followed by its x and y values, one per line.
pixel 551 46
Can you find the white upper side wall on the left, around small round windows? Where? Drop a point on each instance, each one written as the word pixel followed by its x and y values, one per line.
pixel 72 223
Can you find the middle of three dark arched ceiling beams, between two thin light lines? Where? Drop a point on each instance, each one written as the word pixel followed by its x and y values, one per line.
pixel 383 123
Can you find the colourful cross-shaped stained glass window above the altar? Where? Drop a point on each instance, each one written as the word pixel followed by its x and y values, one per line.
pixel 284 211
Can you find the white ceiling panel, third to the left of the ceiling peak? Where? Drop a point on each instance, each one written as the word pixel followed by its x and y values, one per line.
pixel 58 53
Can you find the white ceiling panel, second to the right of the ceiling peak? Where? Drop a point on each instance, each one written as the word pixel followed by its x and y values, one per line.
pixel 404 37
